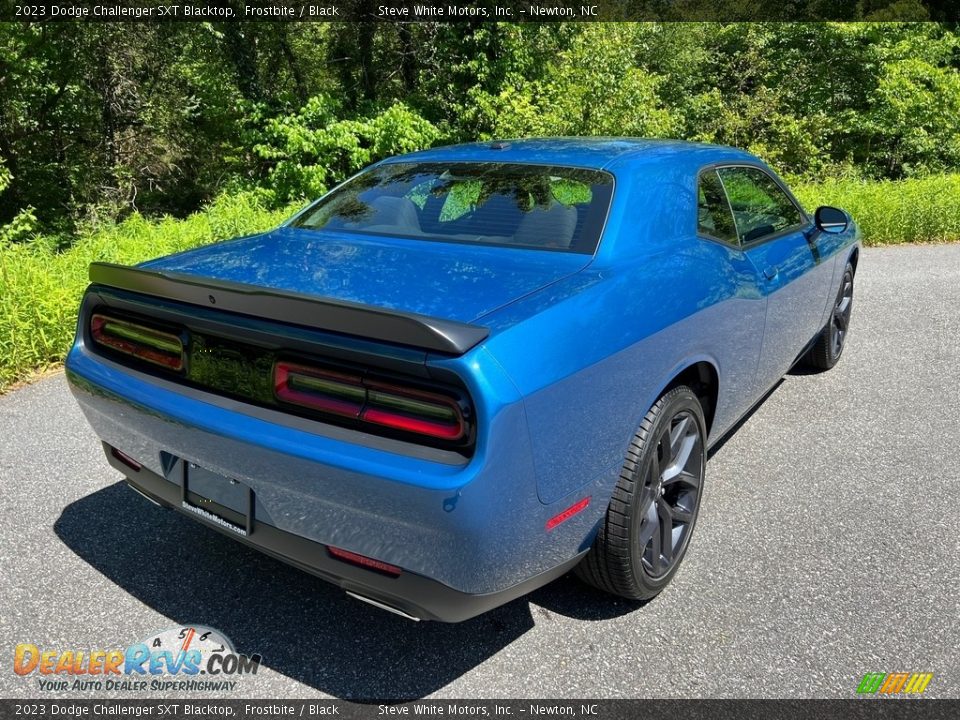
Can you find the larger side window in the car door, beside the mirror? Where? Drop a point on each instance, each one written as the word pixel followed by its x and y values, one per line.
pixel 760 207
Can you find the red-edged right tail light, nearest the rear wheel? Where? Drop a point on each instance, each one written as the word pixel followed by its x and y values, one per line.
pixel 411 410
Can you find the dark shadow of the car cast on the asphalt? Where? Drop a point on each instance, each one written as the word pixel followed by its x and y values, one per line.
pixel 303 627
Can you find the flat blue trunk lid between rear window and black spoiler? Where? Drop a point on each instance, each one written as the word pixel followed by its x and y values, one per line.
pixel 456 281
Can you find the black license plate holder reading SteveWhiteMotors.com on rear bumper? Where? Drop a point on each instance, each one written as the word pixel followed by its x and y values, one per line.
pixel 217 498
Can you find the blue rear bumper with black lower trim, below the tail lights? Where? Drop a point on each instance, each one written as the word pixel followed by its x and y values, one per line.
pixel 467 536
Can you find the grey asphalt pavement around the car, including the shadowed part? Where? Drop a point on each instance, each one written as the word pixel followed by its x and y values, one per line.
pixel 828 546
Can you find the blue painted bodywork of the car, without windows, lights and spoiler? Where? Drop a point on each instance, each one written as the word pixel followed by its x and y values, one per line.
pixel 579 348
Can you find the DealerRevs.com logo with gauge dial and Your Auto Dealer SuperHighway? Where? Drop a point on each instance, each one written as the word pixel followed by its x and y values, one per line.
pixel 181 659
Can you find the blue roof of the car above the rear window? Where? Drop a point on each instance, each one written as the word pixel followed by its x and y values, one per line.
pixel 608 153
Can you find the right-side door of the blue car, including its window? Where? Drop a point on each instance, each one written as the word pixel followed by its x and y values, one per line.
pixel 772 230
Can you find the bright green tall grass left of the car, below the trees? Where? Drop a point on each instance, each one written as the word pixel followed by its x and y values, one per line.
pixel 40 289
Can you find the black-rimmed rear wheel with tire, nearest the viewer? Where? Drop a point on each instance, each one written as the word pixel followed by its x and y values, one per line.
pixel 627 557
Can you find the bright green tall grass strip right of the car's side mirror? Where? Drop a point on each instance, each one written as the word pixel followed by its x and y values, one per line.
pixel 925 210
